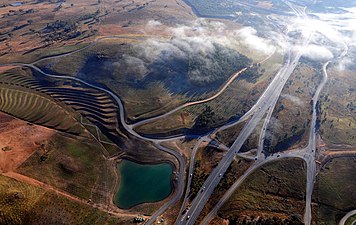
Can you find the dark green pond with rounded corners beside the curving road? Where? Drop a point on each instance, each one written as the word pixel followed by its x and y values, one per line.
pixel 142 183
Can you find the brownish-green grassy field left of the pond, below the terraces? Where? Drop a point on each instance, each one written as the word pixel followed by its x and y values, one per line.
pixel 73 165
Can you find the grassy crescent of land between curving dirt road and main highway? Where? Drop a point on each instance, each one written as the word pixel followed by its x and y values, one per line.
pixel 236 100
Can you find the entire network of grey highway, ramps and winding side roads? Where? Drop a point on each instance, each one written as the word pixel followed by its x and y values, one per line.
pixel 263 108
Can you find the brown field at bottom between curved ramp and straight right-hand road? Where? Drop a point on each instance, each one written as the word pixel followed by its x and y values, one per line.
pixel 277 189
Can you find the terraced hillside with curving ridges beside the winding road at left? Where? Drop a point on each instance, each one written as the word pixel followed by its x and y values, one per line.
pixel 64 107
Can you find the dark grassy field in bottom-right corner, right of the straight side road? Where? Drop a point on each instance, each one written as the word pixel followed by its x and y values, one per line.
pixel 334 194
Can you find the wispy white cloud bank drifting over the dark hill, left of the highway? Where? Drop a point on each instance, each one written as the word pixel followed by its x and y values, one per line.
pixel 200 36
